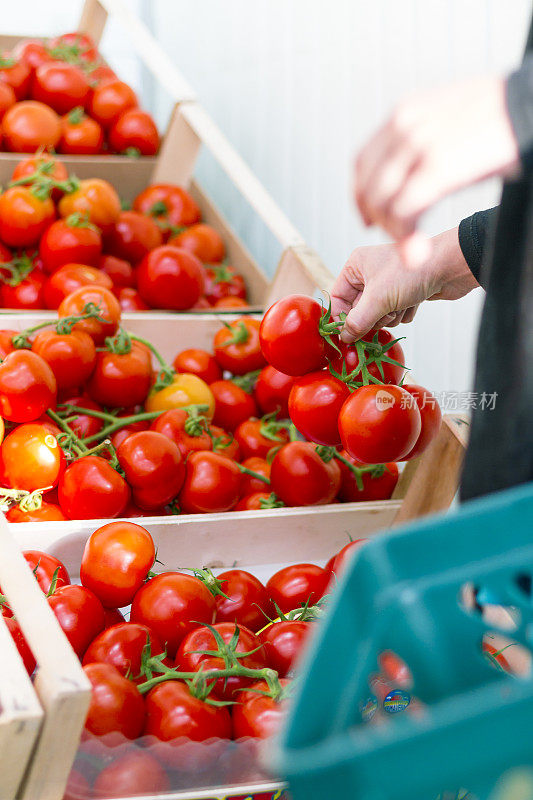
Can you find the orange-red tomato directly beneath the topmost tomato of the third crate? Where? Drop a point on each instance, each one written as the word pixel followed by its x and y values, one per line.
pixel 70 356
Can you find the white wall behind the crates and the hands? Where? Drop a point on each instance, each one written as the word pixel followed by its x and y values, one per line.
pixel 297 86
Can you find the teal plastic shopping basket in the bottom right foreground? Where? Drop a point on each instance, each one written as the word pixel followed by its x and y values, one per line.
pixel 467 722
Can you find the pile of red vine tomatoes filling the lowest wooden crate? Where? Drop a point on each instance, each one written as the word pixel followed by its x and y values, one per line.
pixel 201 657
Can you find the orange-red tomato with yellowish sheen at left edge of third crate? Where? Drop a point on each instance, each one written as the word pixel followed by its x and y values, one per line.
pixel 32 458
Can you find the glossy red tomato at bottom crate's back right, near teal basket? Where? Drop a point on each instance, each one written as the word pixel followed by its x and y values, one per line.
pixel 296 585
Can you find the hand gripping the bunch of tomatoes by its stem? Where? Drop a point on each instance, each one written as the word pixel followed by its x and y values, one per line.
pixel 375 287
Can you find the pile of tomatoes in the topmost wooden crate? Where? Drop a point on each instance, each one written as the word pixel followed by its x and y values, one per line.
pixel 61 95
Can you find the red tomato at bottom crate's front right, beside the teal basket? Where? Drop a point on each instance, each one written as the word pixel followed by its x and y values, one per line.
pixel 259 715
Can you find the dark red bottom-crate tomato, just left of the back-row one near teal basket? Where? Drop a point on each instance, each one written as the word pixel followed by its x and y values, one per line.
pixel 248 598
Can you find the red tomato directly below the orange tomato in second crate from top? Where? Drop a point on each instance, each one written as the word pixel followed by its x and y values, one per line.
pixel 70 240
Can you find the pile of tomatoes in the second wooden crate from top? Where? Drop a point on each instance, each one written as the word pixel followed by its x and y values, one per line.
pixel 58 233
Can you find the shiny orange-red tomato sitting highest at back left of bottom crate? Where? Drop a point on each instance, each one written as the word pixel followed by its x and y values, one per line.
pixel 115 562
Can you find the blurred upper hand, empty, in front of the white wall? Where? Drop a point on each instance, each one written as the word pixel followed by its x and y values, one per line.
pixel 433 144
